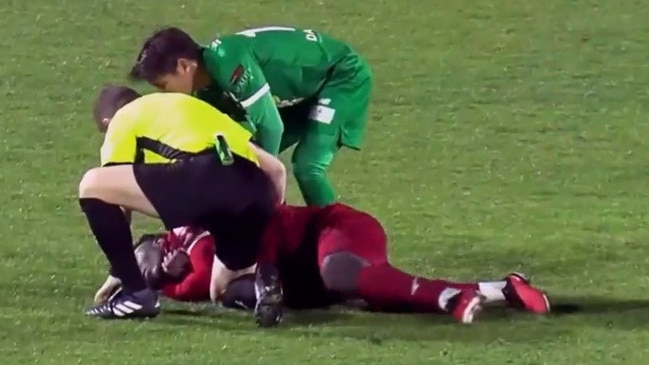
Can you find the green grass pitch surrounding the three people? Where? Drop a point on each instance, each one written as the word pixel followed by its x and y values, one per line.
pixel 505 135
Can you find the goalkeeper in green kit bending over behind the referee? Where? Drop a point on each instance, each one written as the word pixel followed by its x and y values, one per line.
pixel 289 86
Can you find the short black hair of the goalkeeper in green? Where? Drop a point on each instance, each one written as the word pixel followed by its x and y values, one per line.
pixel 160 53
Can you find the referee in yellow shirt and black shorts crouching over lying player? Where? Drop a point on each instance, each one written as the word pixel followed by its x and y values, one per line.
pixel 175 157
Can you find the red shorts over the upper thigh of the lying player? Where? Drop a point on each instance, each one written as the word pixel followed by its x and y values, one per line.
pixel 345 229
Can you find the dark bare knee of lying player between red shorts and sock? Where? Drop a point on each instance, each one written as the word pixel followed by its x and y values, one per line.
pixel 340 271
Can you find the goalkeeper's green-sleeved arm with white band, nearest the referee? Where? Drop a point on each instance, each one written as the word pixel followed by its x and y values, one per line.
pixel 240 75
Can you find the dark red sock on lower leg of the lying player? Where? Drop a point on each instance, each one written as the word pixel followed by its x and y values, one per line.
pixel 386 288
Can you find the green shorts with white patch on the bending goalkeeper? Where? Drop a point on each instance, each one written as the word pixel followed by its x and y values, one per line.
pixel 337 115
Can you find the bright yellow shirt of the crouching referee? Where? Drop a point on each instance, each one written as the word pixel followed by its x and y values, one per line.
pixel 163 127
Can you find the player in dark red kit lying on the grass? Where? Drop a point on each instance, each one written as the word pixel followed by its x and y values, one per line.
pixel 324 256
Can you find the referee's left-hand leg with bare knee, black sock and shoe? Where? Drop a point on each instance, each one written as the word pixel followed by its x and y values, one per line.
pixel 102 193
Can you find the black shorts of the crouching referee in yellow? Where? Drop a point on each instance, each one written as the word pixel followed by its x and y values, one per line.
pixel 234 202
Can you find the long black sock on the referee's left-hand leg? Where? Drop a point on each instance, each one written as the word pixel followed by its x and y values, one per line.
pixel 113 234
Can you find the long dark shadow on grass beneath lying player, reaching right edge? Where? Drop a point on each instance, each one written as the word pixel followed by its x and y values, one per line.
pixel 494 325
